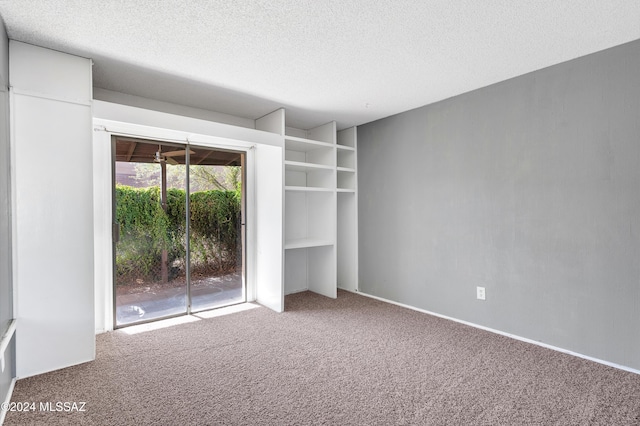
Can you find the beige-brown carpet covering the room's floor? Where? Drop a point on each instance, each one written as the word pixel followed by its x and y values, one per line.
pixel 350 361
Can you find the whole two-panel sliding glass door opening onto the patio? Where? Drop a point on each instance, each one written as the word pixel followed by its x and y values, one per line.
pixel 178 235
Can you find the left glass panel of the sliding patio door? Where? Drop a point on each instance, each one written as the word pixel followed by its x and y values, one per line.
pixel 150 272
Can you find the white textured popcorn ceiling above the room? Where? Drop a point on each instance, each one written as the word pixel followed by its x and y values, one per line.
pixel 350 61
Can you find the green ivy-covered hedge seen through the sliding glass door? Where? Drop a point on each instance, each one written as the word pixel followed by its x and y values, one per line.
pixel 146 229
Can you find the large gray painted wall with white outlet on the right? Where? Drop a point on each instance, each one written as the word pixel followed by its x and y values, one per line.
pixel 530 188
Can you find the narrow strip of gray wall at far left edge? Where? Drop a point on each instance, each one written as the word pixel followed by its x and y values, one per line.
pixel 6 295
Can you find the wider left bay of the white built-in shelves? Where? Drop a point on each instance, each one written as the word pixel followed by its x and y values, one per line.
pixel 309 214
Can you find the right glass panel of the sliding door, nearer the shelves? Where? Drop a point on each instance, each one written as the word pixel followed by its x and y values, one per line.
pixel 216 228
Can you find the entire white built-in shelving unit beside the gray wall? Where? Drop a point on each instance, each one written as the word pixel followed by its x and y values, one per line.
pixel 320 214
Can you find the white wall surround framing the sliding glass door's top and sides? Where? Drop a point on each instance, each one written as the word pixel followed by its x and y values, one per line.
pixel 264 193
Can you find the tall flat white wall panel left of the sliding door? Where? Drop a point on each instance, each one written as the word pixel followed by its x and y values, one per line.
pixel 52 208
